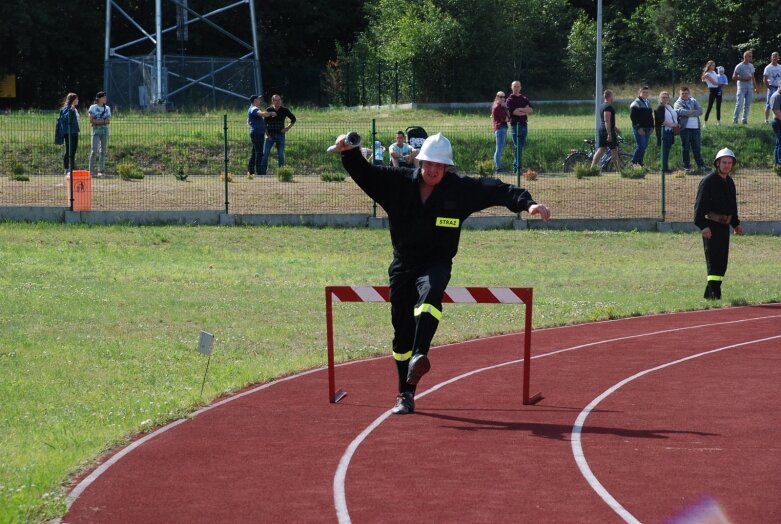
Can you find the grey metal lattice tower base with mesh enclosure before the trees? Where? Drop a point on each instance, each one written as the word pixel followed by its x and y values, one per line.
pixel 157 79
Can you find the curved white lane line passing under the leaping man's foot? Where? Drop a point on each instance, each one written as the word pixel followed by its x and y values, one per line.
pixel 340 497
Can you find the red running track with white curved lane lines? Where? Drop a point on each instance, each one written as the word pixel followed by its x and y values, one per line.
pixel 644 419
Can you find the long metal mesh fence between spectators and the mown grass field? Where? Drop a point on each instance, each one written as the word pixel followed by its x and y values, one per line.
pixel 183 159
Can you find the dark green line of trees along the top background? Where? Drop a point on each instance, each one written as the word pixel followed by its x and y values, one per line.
pixel 316 51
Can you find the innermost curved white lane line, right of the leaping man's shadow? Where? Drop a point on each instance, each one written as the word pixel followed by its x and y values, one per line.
pixel 577 428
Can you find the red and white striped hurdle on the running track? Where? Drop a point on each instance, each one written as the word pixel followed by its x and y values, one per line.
pixel 452 295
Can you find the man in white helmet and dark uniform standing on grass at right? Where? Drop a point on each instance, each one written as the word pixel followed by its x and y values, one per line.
pixel 715 210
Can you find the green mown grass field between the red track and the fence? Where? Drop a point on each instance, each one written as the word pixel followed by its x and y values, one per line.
pixel 99 325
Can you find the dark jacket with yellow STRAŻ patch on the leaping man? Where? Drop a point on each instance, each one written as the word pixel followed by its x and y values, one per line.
pixel 429 232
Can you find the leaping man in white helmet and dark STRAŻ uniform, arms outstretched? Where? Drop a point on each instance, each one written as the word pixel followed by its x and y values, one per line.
pixel 426 209
